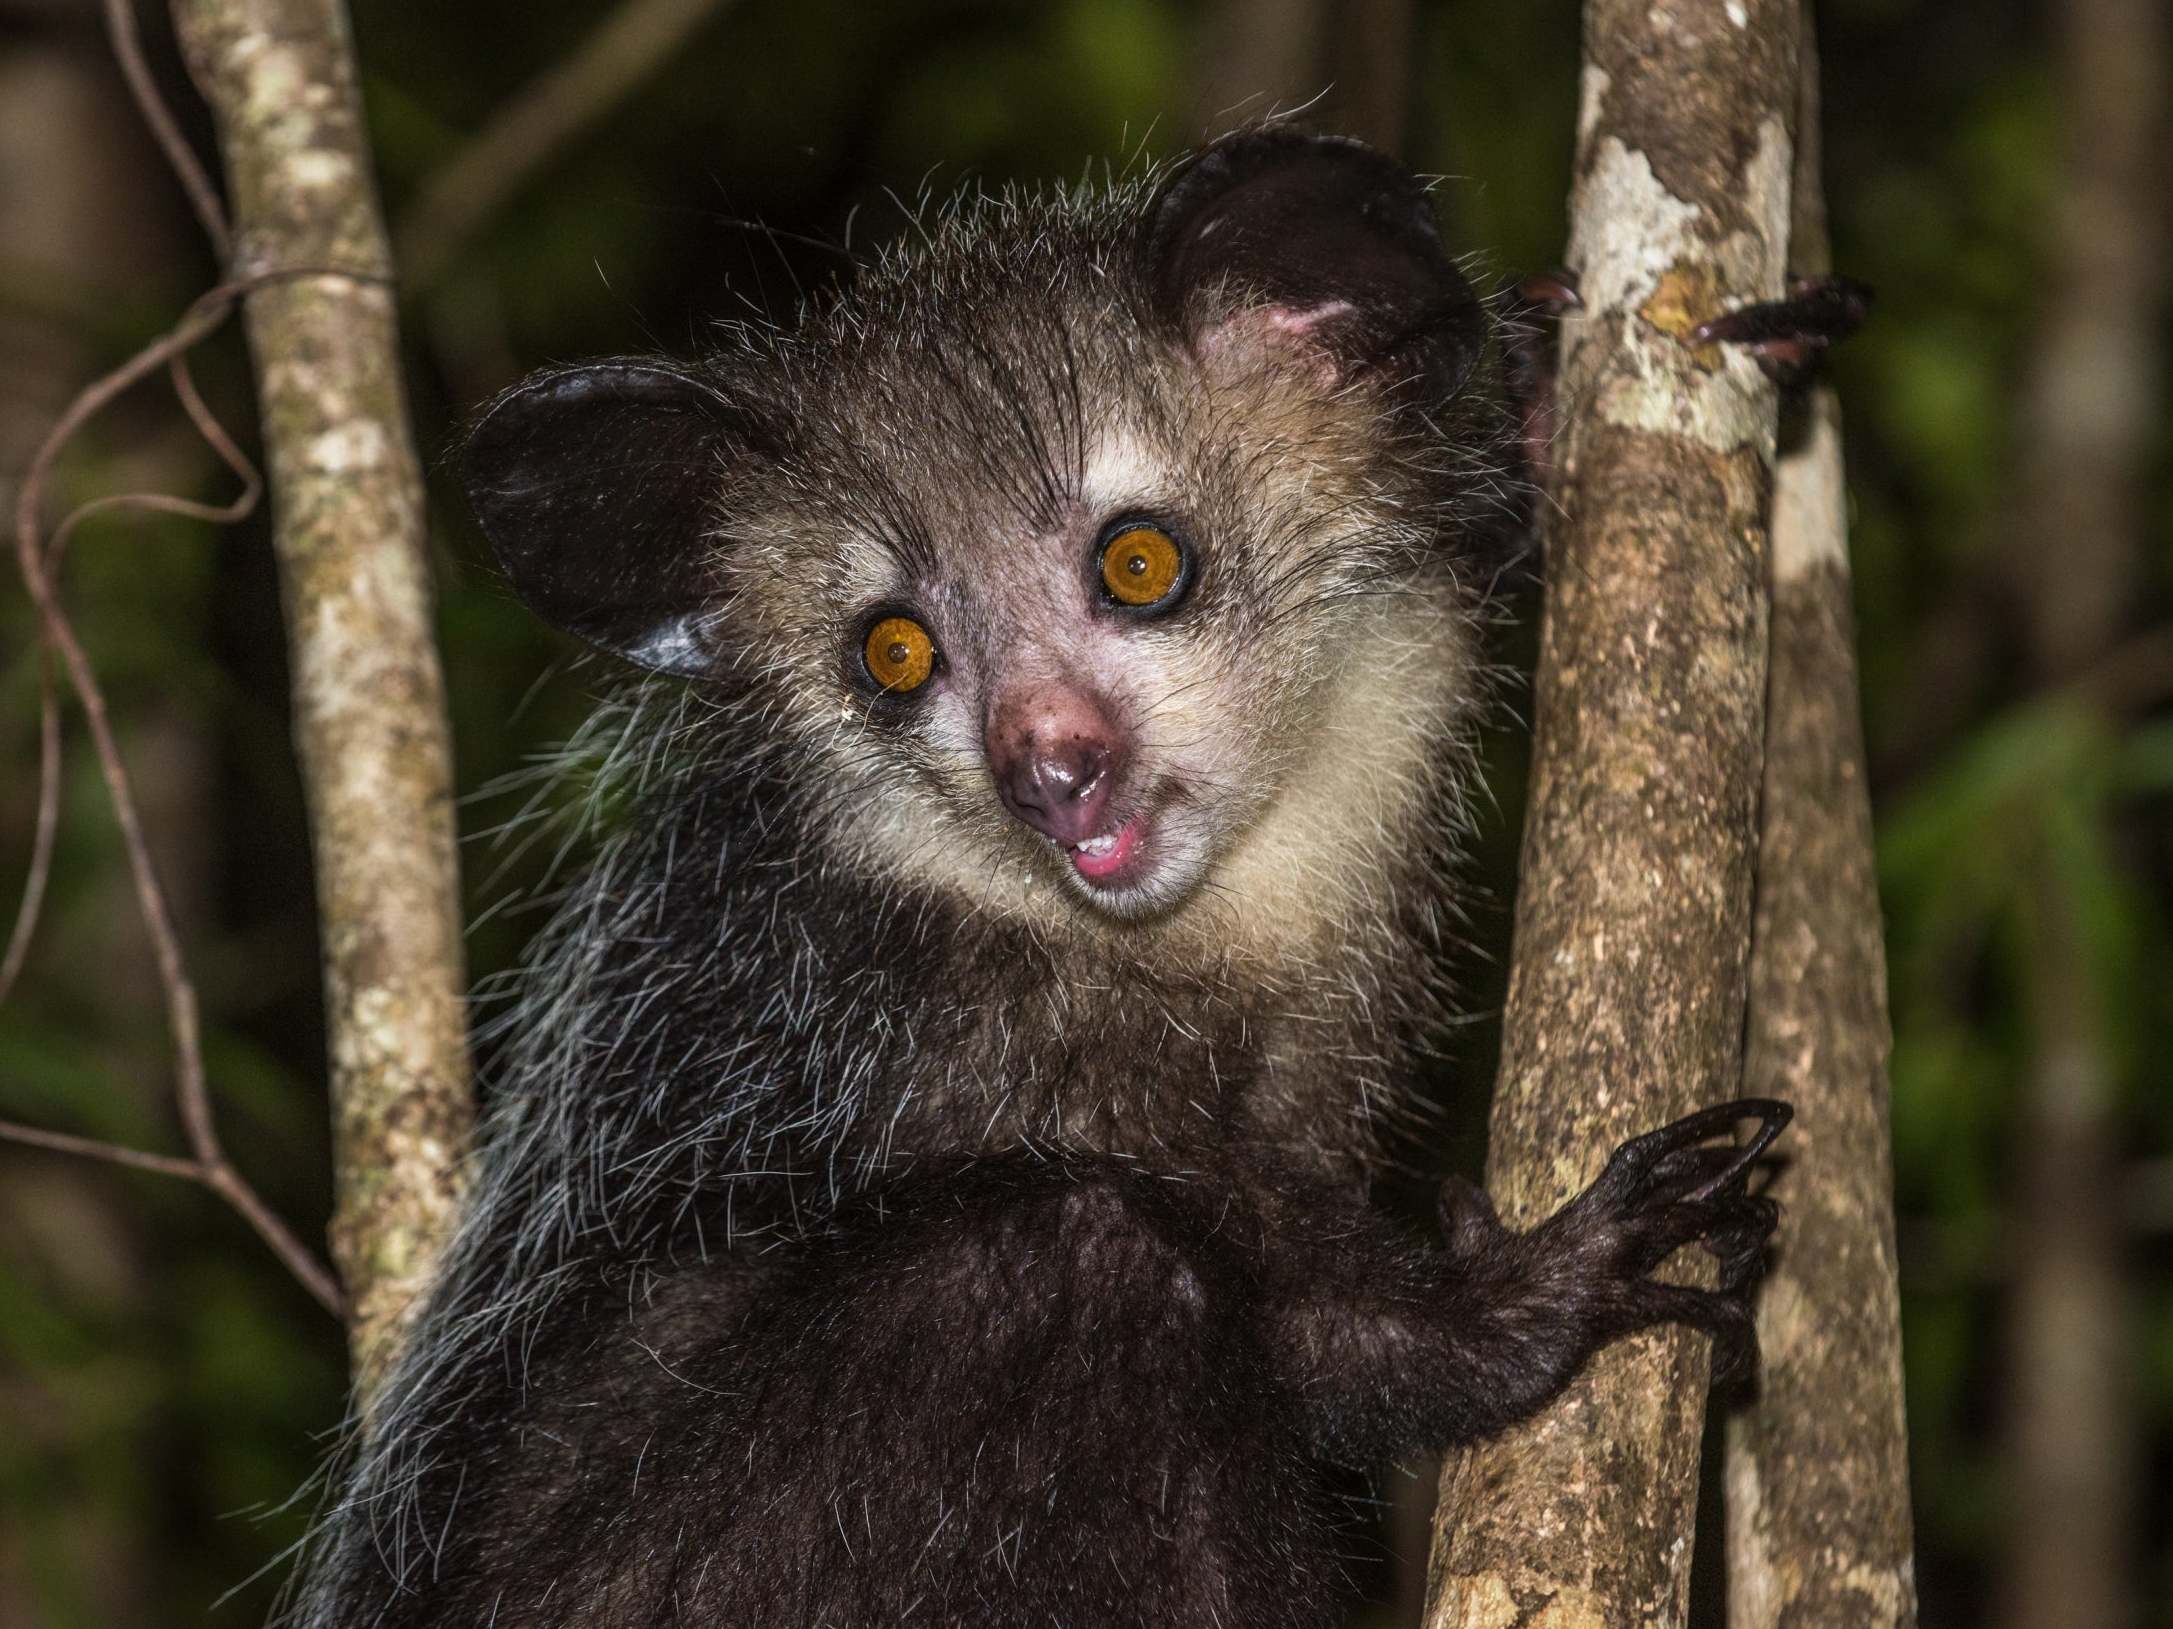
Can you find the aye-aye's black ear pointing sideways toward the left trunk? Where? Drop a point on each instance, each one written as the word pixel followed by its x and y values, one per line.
pixel 596 490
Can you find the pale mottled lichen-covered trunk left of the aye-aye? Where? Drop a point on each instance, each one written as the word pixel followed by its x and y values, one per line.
pixel 368 700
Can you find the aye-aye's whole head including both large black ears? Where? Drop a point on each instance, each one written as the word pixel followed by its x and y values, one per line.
pixel 1109 557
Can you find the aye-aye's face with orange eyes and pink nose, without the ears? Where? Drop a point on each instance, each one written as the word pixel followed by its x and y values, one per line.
pixel 1094 687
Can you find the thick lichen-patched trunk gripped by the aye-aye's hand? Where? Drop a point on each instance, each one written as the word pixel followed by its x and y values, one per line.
pixel 1635 905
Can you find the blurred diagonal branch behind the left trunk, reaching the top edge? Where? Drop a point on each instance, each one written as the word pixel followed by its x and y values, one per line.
pixel 633 42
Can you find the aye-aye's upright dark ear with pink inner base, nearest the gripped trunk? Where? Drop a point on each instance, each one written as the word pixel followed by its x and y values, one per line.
pixel 1285 238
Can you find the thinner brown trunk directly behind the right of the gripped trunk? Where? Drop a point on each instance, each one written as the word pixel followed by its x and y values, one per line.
pixel 1818 1465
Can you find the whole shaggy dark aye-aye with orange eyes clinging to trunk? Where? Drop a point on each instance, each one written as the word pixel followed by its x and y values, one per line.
pixel 929 1183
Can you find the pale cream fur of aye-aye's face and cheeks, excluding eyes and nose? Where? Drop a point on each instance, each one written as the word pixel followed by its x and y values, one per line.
pixel 1288 737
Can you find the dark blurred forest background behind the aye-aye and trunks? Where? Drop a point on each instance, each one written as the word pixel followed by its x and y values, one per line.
pixel 166 1389
